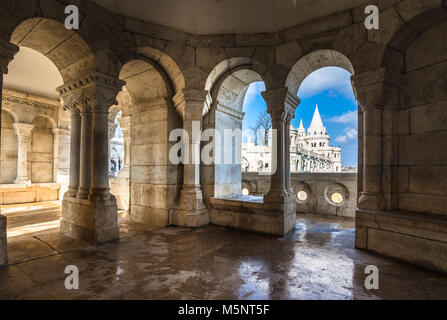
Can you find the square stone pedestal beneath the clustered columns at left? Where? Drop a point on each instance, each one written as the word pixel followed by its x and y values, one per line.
pixel 90 221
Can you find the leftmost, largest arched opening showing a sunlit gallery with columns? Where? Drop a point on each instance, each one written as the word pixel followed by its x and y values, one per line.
pixel 36 130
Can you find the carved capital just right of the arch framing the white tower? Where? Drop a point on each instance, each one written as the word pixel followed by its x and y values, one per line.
pixel 375 89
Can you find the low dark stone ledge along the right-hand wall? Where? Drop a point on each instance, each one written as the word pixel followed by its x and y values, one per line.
pixel 420 239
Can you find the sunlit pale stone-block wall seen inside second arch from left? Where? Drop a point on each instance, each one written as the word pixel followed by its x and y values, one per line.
pixel 154 182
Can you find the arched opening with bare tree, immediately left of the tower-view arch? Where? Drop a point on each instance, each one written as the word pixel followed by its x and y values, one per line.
pixel 222 175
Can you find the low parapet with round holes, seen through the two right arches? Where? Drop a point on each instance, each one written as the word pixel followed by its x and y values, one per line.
pixel 319 188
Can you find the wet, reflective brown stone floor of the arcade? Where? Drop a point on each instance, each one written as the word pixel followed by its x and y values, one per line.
pixel 316 261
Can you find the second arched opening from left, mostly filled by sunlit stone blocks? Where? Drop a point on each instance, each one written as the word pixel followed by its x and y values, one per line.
pixel 147 118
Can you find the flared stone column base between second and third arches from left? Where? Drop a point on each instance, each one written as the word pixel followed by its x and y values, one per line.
pixel 191 211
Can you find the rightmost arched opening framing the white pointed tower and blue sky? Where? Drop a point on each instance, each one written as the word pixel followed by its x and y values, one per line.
pixel 324 134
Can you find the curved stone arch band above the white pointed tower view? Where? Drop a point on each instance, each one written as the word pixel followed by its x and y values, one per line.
pixel 312 62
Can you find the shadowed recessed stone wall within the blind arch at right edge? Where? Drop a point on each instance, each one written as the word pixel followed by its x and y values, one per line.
pixel 423 126
